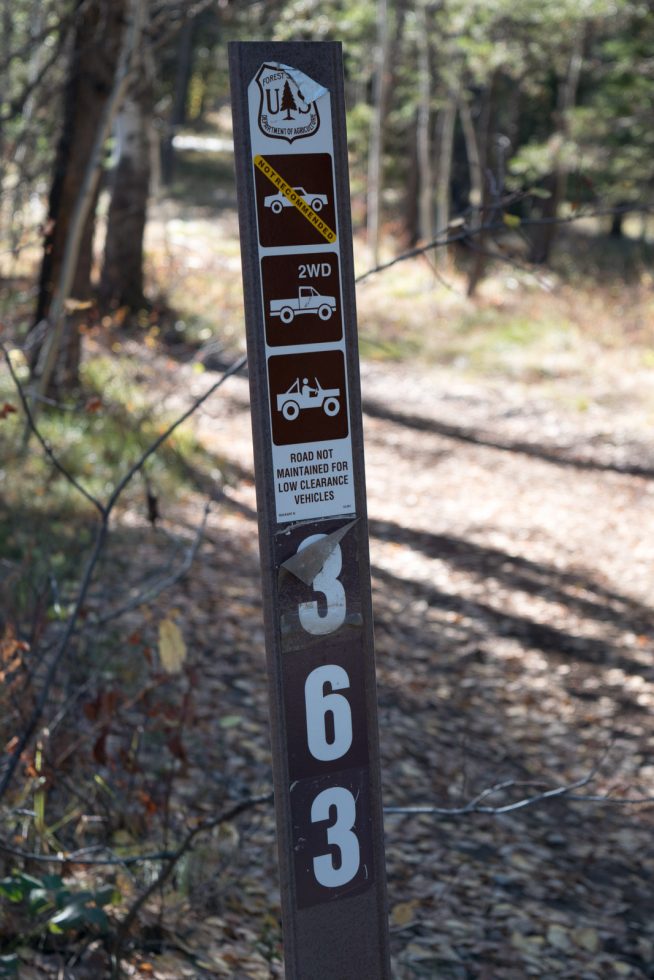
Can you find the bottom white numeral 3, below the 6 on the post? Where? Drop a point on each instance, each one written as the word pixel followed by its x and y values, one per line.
pixel 339 834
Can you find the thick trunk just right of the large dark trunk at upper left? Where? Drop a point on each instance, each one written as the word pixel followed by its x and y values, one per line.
pixel 122 272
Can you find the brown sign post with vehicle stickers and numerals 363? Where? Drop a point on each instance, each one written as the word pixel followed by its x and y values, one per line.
pixel 296 244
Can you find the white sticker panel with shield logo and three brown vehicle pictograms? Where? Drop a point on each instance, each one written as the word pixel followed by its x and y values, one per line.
pixel 303 321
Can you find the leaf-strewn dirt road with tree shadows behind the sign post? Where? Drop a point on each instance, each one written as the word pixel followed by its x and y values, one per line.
pixel 512 554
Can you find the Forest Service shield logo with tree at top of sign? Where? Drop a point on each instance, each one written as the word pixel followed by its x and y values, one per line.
pixel 284 112
